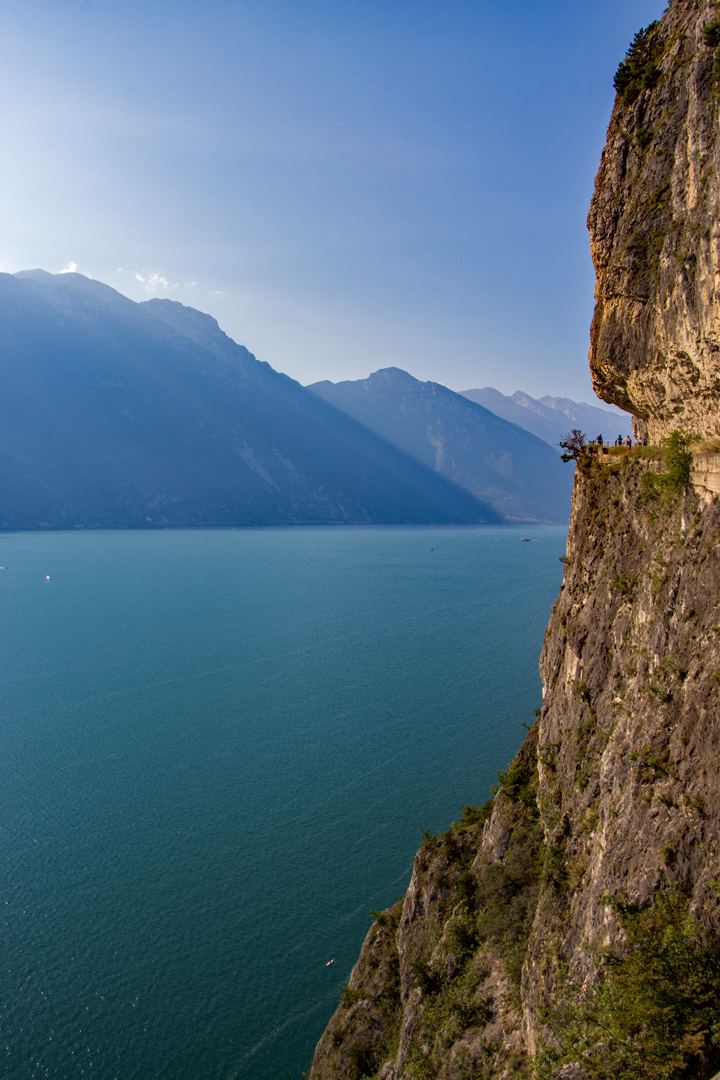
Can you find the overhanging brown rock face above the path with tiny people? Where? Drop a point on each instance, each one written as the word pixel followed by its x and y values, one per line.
pixel 656 238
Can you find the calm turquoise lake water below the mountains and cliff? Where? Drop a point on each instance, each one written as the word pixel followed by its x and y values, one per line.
pixel 219 750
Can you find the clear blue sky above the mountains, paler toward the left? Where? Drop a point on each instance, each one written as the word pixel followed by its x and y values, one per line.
pixel 345 185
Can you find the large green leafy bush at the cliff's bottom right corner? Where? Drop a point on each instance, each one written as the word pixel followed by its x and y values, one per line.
pixel 656 1010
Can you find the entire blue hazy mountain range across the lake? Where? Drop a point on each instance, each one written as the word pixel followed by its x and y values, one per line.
pixel 116 415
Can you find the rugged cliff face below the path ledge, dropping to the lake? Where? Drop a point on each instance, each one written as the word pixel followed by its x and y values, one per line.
pixel 616 793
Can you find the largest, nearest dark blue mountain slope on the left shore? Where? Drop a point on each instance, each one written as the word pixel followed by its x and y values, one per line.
pixel 116 414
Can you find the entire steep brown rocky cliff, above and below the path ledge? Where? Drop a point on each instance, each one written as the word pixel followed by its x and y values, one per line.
pixel 570 927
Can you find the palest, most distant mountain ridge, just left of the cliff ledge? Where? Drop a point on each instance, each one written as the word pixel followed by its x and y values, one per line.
pixel 551 418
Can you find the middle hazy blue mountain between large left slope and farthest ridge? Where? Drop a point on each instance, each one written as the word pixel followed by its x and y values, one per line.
pixel 498 462
